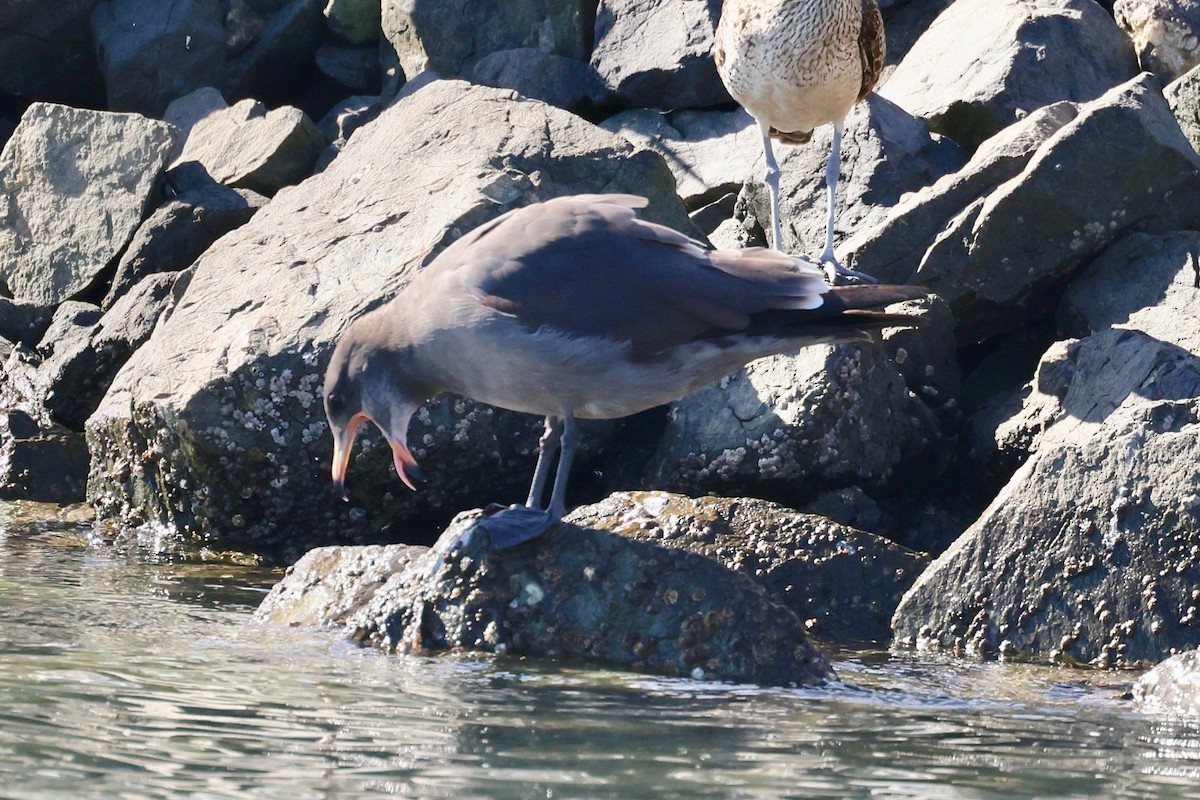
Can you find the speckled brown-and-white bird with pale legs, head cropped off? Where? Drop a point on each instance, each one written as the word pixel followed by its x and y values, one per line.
pixel 795 65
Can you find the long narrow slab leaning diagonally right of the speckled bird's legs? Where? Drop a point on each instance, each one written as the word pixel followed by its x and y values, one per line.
pixel 892 250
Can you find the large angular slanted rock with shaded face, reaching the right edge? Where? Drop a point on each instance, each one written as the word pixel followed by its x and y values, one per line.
pixel 1000 261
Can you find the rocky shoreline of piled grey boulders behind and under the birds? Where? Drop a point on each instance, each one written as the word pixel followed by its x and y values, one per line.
pixel 197 203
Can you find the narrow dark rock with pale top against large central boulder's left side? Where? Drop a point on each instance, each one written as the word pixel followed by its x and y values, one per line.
pixel 81 368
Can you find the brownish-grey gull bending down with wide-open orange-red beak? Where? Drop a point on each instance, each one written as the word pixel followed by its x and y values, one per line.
pixel 577 309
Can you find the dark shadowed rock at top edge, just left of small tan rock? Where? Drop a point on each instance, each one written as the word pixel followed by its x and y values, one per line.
pixel 281 57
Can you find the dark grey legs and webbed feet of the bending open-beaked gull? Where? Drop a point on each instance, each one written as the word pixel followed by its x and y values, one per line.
pixel 519 525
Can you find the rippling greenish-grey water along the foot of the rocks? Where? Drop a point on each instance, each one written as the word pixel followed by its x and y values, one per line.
pixel 127 678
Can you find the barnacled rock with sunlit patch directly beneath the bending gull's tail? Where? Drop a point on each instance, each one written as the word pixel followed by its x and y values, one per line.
pixel 795 425
